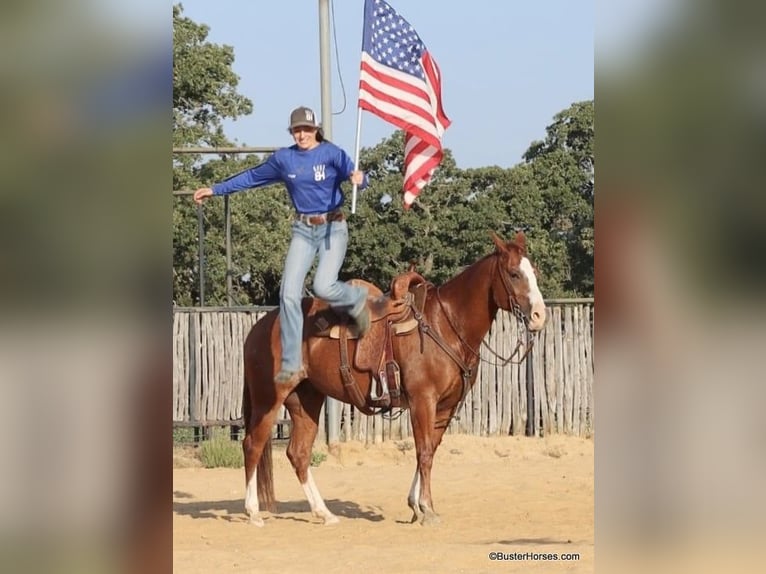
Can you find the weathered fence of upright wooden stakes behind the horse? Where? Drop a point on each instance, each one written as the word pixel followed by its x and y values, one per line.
pixel 208 377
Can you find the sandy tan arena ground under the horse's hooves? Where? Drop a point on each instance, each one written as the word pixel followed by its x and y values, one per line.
pixel 504 494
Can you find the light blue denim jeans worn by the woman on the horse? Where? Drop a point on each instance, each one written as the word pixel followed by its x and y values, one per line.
pixel 329 241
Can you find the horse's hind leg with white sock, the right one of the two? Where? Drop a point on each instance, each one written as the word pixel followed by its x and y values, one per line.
pixel 304 406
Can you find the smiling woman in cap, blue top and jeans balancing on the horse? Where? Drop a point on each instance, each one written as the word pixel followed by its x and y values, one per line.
pixel 312 171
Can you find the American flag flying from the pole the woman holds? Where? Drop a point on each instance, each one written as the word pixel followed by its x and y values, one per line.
pixel 400 82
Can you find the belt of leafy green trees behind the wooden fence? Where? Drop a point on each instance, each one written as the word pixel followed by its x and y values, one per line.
pixel 549 195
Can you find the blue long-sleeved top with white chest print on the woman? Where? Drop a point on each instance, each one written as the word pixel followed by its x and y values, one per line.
pixel 312 177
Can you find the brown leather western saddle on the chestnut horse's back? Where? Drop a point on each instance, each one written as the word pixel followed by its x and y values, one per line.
pixel 392 314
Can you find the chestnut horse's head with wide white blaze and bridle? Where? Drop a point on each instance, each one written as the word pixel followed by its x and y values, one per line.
pixel 515 286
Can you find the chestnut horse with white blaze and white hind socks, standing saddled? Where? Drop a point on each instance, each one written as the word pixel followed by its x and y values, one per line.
pixel 436 371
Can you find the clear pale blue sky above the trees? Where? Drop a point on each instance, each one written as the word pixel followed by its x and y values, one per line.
pixel 507 68
